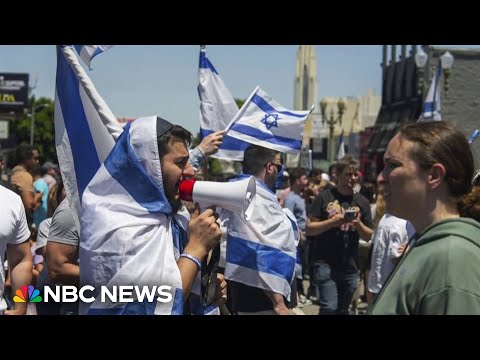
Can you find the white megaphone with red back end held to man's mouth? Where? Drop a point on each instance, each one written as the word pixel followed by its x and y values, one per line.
pixel 237 196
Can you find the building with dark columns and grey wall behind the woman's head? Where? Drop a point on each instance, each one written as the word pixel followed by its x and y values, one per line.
pixel 402 97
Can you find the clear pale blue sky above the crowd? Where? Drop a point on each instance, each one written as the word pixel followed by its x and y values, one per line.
pixel 140 80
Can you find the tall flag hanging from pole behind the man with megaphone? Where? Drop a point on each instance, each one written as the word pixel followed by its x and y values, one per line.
pixel 85 128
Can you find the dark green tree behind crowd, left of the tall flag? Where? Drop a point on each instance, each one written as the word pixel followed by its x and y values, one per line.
pixel 44 134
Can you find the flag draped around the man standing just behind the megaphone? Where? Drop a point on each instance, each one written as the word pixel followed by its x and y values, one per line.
pixel 261 252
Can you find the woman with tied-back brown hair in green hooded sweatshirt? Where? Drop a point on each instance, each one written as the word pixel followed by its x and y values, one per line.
pixel 427 180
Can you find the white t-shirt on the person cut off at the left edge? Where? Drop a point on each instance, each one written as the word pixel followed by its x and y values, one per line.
pixel 13 226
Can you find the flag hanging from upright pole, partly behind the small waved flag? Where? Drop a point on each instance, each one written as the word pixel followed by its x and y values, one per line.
pixel 217 109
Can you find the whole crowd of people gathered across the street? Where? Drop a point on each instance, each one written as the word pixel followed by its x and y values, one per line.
pixel 418 224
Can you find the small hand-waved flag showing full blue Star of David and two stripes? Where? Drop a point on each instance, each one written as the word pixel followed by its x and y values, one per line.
pixel 264 122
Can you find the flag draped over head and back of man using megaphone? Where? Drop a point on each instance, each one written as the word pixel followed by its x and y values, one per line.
pixel 128 235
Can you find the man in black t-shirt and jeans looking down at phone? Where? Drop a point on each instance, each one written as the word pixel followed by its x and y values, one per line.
pixel 338 218
